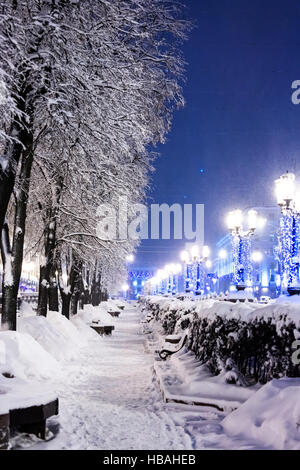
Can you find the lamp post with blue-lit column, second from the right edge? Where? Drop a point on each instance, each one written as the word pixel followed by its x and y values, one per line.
pixel 241 246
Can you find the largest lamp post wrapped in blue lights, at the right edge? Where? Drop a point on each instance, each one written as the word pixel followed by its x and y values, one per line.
pixel 289 232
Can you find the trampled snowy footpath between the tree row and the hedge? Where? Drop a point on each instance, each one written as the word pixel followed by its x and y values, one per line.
pixel 109 399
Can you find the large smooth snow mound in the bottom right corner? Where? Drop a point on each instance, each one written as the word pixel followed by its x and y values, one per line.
pixel 271 417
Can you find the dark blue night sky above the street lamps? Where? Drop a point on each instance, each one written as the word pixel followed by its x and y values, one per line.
pixel 239 125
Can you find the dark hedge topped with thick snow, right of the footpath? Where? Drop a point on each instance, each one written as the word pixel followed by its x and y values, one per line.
pixel 258 339
